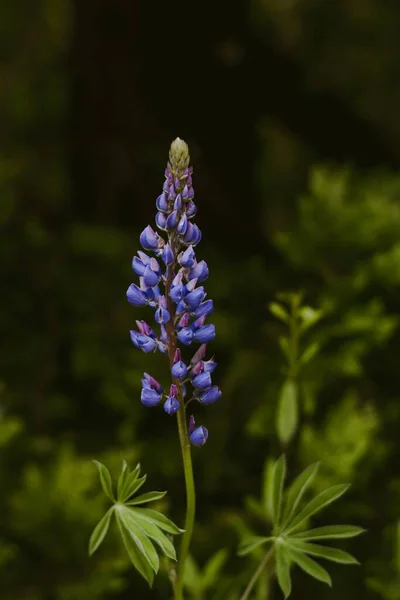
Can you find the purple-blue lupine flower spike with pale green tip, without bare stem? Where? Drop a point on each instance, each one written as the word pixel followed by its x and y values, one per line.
pixel 170 282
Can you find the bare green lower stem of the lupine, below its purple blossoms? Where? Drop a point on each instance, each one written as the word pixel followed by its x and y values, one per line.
pixel 190 500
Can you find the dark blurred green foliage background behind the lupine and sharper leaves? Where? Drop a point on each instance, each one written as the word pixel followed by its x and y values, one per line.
pixel 290 109
